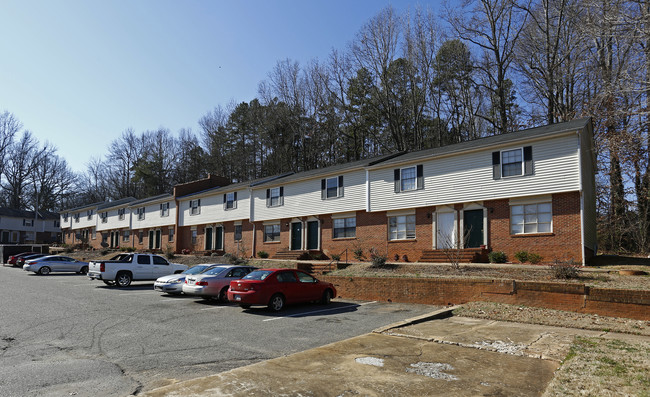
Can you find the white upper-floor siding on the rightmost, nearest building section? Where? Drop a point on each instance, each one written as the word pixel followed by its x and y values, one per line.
pixel 469 177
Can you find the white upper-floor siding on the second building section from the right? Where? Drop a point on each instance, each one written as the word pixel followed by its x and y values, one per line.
pixel 304 198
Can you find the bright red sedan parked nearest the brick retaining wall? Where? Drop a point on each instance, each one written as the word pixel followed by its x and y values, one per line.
pixel 276 288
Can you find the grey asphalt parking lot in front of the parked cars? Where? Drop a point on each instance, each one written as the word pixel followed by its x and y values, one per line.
pixel 63 334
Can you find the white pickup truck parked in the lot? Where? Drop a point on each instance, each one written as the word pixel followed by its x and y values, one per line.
pixel 121 269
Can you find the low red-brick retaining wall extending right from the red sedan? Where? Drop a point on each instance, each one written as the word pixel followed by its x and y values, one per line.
pixel 560 296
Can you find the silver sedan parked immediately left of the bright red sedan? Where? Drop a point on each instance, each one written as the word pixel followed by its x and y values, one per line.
pixel 214 283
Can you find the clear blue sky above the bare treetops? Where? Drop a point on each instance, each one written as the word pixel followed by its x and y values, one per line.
pixel 77 73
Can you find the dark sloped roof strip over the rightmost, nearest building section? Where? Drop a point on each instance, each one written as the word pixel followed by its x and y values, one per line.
pixel 491 141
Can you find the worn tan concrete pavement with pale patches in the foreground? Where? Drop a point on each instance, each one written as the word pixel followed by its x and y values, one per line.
pixel 430 355
